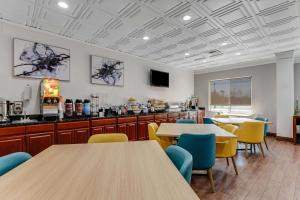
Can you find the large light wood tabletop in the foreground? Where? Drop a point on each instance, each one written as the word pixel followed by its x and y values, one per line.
pixel 110 171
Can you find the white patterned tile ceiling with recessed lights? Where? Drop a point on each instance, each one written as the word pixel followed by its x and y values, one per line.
pixel 219 33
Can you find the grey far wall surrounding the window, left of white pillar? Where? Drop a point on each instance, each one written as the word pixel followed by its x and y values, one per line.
pixel 263 88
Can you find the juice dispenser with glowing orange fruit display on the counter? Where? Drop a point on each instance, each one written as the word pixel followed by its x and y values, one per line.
pixel 49 97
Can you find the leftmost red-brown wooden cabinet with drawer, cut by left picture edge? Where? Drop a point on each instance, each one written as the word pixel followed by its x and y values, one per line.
pixel 12 139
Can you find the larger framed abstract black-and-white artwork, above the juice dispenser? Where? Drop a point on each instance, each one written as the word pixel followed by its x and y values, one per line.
pixel 37 60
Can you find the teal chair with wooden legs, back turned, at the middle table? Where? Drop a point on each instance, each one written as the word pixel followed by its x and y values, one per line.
pixel 203 149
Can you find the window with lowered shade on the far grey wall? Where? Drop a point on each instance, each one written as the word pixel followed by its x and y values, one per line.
pixel 230 95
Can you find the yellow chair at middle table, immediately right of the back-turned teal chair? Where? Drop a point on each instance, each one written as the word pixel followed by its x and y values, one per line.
pixel 226 148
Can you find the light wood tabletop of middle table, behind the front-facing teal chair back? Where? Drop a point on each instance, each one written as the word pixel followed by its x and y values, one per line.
pixel 176 129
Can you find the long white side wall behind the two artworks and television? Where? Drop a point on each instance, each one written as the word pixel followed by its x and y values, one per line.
pixel 136 82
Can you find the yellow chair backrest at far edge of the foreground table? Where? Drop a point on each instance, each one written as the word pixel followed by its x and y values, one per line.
pixel 107 138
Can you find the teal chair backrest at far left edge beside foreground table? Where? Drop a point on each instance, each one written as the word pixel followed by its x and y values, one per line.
pixel 10 161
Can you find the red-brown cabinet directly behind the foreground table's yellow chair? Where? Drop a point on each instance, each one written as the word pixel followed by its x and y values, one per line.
pixel 107 125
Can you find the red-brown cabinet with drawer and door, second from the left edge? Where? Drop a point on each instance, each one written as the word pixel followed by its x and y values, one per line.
pixel 39 137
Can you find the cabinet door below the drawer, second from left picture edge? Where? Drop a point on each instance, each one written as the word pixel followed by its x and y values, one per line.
pixel 36 143
